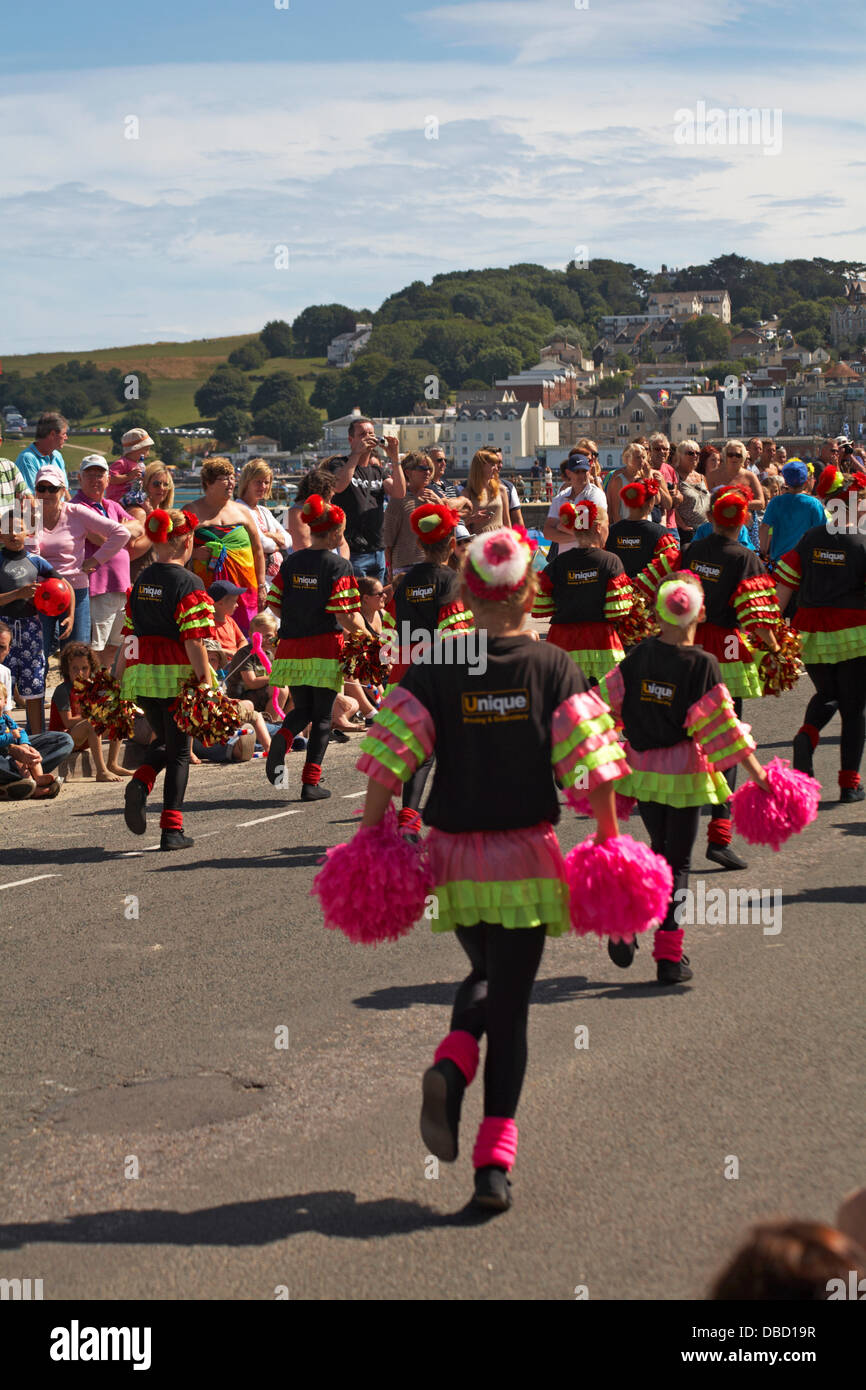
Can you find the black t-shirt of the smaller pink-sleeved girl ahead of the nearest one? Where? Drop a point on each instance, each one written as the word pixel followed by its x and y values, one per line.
pixel 662 683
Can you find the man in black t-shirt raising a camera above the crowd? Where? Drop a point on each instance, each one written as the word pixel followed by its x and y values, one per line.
pixel 362 487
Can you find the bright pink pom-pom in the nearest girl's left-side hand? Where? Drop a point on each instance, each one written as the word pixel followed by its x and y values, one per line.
pixel 376 888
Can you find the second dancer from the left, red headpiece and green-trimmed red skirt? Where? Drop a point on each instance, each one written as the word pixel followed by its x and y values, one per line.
pixel 316 598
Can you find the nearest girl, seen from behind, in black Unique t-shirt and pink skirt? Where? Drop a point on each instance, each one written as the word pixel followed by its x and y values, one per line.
pixel 500 735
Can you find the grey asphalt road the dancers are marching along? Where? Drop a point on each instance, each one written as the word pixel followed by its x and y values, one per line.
pixel 144 997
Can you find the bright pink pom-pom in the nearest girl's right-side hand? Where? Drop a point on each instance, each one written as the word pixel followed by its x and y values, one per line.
pixel 619 888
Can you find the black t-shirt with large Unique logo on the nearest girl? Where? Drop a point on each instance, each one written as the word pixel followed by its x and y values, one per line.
pixel 494 735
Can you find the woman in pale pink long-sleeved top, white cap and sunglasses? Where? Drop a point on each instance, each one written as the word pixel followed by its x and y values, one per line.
pixel 63 532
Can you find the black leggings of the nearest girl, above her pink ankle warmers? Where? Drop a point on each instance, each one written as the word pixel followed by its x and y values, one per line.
pixel 496 1000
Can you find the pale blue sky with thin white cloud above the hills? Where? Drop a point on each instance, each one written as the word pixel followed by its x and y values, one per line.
pixel 184 170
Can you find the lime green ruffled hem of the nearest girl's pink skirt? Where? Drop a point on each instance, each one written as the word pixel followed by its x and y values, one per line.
pixel 525 903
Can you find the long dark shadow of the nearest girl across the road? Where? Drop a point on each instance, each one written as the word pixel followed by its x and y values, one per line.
pixel 243 1224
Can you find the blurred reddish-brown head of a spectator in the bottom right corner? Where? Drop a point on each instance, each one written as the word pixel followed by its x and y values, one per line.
pixel 790 1261
